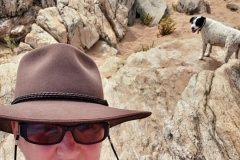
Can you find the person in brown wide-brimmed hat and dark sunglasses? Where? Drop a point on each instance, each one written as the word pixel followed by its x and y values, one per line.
pixel 59 111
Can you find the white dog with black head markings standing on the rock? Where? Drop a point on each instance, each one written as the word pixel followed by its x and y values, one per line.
pixel 215 33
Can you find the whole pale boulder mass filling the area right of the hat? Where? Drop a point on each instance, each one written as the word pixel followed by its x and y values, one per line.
pixel 195 120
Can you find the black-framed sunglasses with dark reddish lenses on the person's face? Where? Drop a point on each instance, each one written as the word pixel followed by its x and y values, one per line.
pixel 49 134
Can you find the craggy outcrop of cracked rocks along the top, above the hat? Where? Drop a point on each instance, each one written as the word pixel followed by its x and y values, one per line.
pixel 66 21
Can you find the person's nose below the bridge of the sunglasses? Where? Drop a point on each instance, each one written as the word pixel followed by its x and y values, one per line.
pixel 68 147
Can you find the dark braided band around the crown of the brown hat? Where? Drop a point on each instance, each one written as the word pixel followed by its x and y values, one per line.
pixel 59 96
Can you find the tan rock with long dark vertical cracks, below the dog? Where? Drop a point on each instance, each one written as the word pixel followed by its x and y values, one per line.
pixel 206 116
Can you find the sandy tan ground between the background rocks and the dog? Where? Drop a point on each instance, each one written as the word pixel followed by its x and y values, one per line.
pixel 140 35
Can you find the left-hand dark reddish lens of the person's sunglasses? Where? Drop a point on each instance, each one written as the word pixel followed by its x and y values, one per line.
pixel 43 133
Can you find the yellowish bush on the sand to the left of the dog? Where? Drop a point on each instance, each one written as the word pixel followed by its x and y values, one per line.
pixel 166 26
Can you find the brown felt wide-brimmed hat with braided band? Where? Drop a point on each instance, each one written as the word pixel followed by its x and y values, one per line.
pixel 58 83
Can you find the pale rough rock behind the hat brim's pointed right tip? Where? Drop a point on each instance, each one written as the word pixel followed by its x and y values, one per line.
pixel 142 84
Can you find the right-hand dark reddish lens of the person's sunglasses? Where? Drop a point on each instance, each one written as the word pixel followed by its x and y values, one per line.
pixel 89 133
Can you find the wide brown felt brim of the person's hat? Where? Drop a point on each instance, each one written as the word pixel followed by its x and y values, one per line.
pixel 59 111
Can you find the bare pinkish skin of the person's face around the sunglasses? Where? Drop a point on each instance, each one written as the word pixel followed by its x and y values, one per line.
pixel 67 149
